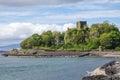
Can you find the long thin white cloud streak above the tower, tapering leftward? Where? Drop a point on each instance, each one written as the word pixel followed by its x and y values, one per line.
pixel 77 16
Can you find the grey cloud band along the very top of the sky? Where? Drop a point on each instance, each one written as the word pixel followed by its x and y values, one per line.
pixel 31 3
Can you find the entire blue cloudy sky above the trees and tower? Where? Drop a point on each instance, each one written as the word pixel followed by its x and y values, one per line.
pixel 20 19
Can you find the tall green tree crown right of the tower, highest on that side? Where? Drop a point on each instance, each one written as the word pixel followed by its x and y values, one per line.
pixel 98 29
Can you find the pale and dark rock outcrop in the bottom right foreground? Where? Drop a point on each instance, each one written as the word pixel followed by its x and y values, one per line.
pixel 109 71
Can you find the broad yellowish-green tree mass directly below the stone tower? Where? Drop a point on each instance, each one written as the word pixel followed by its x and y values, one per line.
pixel 77 36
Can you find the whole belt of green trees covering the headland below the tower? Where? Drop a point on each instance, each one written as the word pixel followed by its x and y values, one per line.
pixel 100 35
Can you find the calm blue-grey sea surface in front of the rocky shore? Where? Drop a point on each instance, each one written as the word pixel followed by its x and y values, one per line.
pixel 48 68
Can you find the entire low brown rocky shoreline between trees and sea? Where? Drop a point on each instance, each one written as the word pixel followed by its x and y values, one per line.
pixel 59 53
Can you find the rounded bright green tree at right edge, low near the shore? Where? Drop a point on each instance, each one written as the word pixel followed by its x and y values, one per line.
pixel 110 40
